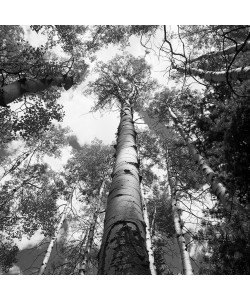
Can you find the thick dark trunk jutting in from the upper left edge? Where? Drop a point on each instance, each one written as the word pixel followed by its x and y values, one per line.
pixel 16 89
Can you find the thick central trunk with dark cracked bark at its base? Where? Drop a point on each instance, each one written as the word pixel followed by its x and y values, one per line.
pixel 123 250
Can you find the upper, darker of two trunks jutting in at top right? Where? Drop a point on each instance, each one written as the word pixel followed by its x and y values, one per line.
pixel 243 47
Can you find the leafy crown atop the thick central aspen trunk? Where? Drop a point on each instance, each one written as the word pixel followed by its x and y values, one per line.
pixel 124 78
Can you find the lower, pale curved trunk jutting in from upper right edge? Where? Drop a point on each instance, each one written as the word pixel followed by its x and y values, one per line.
pixel 219 76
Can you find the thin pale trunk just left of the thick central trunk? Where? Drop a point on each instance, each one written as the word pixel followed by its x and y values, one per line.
pixel 82 269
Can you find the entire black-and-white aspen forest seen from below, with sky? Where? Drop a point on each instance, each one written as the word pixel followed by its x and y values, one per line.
pixel 163 188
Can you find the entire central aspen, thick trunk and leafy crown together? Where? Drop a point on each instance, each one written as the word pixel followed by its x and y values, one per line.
pixel 123 251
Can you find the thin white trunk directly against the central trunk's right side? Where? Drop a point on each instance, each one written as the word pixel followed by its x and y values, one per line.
pixel 148 237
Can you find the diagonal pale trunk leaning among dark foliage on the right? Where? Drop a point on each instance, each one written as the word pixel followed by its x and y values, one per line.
pixel 217 187
